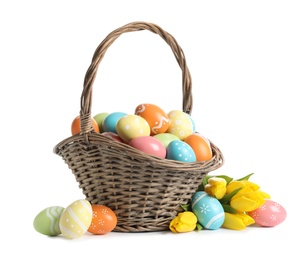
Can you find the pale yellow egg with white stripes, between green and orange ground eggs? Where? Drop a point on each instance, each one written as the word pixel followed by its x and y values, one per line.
pixel 76 219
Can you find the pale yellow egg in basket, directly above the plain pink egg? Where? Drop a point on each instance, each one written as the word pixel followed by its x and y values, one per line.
pixel 131 126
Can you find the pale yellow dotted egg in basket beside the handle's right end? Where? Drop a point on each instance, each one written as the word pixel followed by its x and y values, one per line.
pixel 180 124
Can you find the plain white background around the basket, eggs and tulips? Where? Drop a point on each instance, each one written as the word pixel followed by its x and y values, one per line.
pixel 244 58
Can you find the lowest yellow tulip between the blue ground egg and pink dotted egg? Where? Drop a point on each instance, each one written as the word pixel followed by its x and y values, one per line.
pixel 238 221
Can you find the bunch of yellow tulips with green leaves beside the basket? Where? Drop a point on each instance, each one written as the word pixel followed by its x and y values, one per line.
pixel 238 197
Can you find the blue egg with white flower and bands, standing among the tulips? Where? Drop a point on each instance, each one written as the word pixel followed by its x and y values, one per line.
pixel 208 210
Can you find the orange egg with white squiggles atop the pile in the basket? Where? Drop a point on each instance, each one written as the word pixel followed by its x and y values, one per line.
pixel 155 116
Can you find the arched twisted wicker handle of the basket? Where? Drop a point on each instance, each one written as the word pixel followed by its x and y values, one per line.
pixel 86 97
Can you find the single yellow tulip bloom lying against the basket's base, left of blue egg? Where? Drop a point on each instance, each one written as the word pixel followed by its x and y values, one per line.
pixel 184 222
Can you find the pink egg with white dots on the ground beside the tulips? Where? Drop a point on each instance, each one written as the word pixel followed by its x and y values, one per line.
pixel 269 214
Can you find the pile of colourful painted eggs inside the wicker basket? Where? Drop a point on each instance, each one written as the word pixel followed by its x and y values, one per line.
pixel 151 130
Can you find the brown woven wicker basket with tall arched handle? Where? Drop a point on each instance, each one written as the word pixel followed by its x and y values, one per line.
pixel 144 191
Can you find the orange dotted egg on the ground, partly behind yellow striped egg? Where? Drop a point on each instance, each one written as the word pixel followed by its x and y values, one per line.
pixel 104 220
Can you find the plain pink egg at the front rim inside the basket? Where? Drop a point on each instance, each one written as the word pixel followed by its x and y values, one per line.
pixel 149 145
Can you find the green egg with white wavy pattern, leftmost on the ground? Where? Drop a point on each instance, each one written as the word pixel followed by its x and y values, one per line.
pixel 47 221
